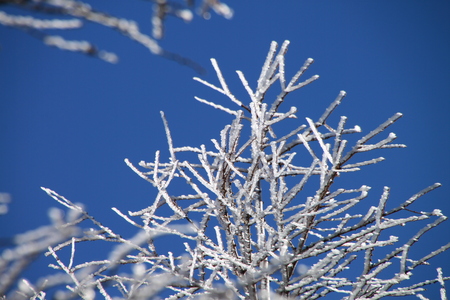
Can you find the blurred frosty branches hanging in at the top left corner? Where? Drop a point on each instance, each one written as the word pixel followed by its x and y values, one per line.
pixel 71 14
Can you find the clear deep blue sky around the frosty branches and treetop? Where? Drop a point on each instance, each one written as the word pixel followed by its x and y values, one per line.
pixel 67 121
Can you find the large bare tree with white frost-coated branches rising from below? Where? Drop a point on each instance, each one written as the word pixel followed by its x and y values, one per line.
pixel 257 213
